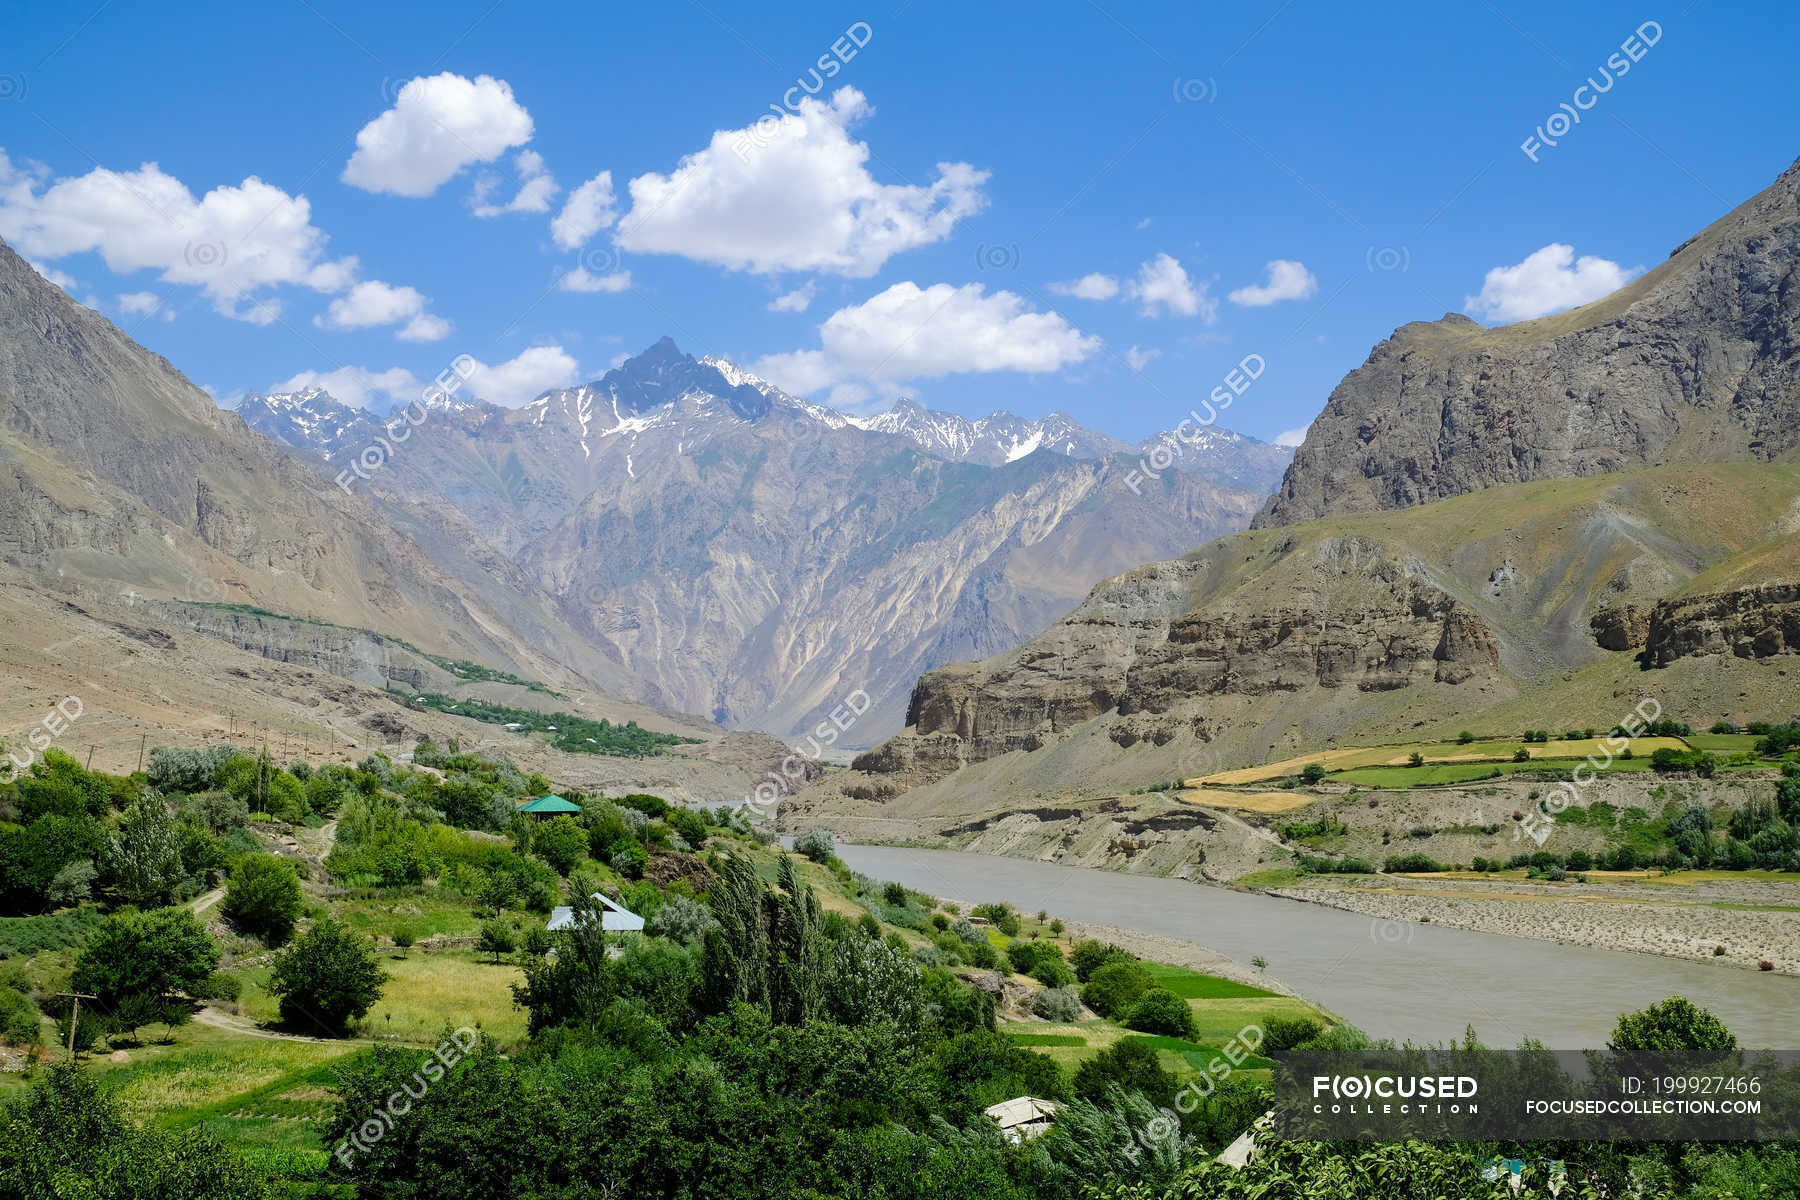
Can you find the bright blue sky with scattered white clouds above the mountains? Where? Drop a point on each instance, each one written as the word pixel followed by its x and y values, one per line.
pixel 1279 179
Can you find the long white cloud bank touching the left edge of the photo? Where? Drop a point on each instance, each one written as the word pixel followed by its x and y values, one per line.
pixel 231 244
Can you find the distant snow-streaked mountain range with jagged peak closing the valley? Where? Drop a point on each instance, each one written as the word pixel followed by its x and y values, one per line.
pixel 755 557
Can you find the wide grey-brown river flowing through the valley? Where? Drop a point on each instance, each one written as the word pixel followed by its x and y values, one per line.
pixel 1390 980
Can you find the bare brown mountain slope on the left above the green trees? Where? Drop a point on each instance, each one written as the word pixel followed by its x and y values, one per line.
pixel 138 523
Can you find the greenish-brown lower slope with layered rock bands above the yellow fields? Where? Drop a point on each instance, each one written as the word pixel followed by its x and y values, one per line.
pixel 1471 613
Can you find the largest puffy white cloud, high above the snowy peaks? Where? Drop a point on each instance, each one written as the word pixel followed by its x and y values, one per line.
pixel 795 193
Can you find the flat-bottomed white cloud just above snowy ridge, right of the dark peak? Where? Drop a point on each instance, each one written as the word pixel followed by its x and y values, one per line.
pixel 910 334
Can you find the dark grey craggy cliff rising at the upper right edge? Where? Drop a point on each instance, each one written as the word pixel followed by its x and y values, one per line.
pixel 1696 363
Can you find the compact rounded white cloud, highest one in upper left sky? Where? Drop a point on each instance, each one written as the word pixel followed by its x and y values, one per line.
pixel 436 127
